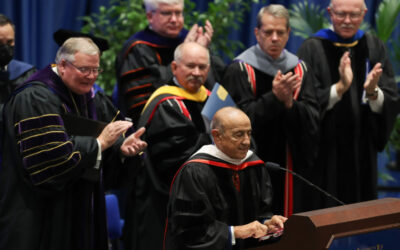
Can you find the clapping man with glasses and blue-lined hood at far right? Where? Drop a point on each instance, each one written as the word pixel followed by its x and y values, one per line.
pixel 357 93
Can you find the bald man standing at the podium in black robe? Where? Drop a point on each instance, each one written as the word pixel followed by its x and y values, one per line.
pixel 221 197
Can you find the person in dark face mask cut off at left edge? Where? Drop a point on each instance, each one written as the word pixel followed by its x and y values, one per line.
pixel 12 72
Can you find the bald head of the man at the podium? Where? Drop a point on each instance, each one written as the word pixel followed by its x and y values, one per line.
pixel 231 131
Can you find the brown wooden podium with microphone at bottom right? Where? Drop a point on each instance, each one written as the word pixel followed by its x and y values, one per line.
pixel 316 230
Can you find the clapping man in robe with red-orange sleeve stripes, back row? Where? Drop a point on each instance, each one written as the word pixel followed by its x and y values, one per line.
pixel 144 64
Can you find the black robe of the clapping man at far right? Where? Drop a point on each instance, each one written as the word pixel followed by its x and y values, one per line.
pixel 351 134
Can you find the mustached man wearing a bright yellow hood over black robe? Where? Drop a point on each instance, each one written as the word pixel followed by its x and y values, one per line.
pixel 175 130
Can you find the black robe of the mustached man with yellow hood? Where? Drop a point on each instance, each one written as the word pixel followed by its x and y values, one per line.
pixel 174 131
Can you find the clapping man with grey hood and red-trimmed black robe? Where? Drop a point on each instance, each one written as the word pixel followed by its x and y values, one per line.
pixel 275 89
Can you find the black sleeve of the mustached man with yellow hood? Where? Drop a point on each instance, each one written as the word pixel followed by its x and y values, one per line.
pixel 172 138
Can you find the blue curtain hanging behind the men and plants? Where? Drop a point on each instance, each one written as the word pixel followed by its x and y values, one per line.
pixel 37 20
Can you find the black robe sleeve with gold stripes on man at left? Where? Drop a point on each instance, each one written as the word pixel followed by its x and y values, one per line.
pixel 51 158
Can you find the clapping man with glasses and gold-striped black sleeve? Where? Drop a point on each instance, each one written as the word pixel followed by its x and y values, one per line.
pixel 54 171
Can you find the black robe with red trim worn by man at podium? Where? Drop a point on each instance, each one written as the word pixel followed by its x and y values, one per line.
pixel 208 195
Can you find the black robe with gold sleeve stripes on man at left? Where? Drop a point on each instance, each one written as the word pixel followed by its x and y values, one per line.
pixel 51 197
